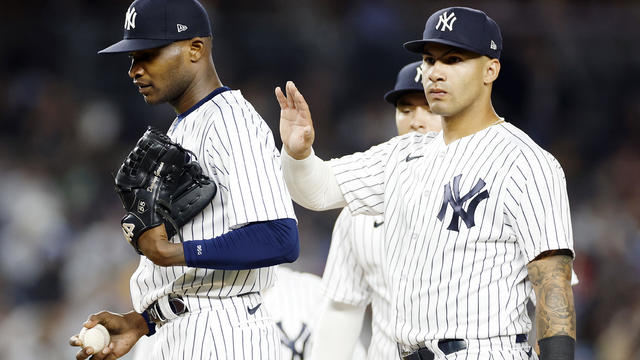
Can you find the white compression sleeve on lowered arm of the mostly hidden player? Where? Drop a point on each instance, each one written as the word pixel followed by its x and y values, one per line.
pixel 338 330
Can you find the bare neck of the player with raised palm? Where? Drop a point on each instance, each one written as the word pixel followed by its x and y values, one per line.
pixel 468 122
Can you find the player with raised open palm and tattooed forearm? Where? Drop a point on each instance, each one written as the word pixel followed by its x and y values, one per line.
pixel 476 216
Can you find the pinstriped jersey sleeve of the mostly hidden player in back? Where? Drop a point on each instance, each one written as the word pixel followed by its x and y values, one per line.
pixel 344 278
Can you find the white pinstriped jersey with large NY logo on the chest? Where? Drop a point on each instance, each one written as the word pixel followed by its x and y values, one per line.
pixel 462 221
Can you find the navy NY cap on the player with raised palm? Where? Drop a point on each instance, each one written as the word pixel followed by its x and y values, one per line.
pixel 464 28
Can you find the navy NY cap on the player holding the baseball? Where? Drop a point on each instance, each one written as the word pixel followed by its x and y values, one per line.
pixel 150 24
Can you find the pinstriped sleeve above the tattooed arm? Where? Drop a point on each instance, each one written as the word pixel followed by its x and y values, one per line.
pixel 537 205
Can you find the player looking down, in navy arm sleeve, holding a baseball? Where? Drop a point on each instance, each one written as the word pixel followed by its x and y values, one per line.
pixel 201 299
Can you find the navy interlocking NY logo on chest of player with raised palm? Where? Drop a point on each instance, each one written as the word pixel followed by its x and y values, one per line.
pixel 452 197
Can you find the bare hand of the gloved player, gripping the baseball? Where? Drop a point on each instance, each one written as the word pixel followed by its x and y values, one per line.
pixel 124 330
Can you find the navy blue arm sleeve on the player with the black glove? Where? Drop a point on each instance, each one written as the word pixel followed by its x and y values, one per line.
pixel 253 246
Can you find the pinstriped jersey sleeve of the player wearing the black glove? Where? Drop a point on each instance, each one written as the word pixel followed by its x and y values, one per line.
pixel 251 165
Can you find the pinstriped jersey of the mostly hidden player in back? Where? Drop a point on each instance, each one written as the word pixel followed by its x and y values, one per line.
pixel 355 274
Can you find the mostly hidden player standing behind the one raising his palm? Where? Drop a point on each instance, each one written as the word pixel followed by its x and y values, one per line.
pixel 354 275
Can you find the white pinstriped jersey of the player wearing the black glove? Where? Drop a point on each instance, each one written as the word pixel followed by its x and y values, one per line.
pixel 235 148
